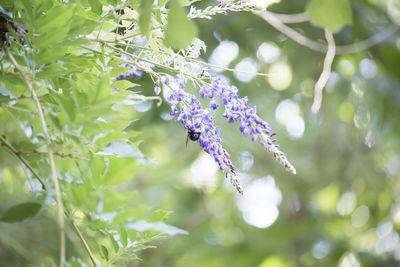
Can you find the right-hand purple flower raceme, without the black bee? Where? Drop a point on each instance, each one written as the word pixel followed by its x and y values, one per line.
pixel 237 109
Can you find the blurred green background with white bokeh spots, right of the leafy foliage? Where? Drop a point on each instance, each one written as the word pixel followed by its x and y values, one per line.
pixel 343 206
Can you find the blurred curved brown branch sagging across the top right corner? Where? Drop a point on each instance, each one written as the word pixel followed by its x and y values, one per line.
pixel 275 22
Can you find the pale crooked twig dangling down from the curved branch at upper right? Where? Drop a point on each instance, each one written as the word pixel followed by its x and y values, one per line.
pixel 326 71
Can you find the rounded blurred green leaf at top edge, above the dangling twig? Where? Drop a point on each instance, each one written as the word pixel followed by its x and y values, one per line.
pixel 332 15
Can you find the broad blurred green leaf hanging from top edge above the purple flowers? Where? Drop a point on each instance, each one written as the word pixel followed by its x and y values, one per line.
pixel 180 30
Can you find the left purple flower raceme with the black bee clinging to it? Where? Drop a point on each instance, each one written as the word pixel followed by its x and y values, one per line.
pixel 196 119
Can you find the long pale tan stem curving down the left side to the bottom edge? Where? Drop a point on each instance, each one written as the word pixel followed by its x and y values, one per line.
pixel 60 207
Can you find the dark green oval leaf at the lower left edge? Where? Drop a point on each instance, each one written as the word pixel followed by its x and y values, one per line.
pixel 20 212
